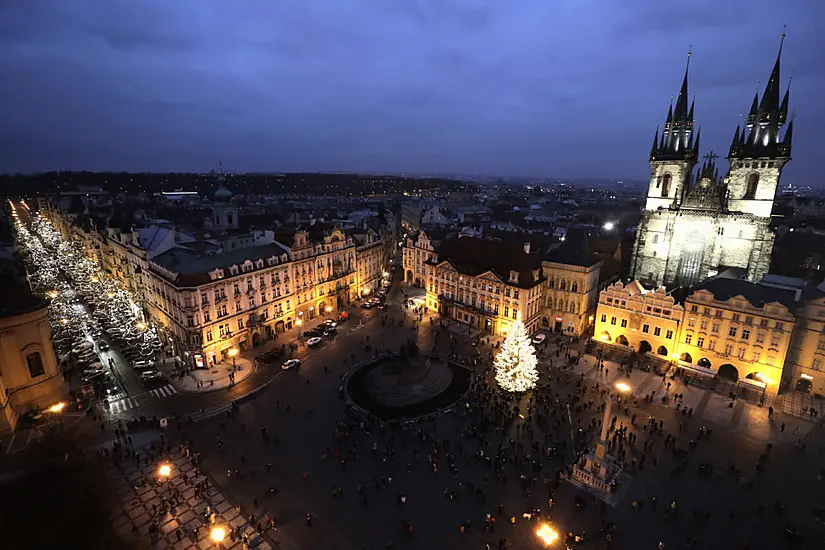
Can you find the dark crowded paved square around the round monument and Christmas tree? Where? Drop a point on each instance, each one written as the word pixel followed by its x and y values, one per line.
pixel 359 483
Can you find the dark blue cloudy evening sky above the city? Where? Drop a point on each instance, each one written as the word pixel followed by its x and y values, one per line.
pixel 535 87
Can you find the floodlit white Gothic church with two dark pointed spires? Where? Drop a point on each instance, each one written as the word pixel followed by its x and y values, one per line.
pixel 697 223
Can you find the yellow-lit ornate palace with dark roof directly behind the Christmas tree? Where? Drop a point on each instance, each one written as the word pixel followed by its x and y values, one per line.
pixel 485 284
